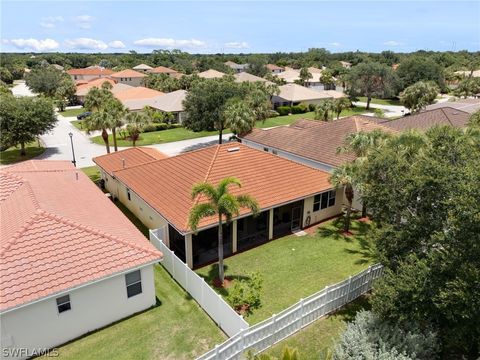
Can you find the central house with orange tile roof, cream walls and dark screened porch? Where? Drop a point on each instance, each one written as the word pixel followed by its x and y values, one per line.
pixel 158 193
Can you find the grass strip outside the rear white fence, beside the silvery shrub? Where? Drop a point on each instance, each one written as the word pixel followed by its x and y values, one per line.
pixel 319 338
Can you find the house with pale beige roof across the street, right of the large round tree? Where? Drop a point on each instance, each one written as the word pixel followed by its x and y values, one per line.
pixel 293 94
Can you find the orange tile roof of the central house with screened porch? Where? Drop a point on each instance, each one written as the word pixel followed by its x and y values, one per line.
pixel 166 184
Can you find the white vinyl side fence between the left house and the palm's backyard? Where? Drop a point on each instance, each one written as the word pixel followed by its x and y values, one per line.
pixel 226 318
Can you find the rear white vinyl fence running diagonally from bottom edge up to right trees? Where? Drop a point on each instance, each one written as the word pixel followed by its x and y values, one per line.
pixel 270 331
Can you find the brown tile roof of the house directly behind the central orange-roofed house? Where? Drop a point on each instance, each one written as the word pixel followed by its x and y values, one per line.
pixel 315 140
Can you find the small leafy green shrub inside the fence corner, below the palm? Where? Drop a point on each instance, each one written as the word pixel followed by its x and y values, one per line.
pixel 245 293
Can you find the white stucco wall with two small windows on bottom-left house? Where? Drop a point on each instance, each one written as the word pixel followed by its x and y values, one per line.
pixel 39 325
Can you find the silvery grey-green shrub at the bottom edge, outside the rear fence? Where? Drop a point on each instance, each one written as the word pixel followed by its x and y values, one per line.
pixel 369 337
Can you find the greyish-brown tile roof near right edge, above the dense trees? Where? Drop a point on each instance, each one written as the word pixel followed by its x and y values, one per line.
pixel 427 119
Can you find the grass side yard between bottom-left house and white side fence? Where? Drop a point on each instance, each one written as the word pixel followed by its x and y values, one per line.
pixel 177 328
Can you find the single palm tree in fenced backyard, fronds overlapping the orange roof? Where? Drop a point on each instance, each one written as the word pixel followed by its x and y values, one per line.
pixel 221 203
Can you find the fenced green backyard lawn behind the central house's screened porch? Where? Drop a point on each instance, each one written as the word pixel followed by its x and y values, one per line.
pixel 295 267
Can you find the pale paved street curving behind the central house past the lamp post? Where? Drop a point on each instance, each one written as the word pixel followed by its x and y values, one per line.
pixel 59 148
